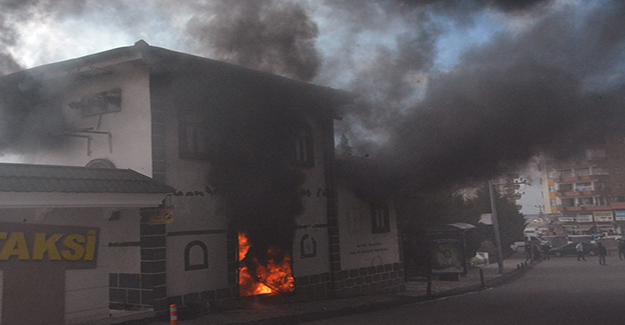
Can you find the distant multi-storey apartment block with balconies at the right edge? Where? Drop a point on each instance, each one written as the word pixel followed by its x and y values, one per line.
pixel 588 190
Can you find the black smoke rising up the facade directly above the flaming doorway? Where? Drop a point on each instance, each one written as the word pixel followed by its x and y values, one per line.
pixel 256 175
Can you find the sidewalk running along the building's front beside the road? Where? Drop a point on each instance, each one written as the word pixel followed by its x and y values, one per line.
pixel 416 291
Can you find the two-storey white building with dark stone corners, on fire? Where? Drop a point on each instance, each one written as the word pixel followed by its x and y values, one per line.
pixel 255 204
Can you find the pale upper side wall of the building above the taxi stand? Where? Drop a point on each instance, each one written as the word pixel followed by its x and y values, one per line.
pixel 130 127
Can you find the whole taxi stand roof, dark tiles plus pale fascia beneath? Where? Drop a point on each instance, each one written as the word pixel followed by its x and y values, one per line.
pixel 44 186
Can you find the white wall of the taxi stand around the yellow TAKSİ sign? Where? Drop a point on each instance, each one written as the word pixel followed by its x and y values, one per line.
pixel 86 290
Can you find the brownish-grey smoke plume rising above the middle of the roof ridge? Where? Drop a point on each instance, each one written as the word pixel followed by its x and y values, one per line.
pixel 275 36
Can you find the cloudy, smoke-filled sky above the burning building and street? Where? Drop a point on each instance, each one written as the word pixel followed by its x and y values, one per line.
pixel 450 91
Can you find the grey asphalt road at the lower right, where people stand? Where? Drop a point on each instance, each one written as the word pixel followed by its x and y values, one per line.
pixel 558 291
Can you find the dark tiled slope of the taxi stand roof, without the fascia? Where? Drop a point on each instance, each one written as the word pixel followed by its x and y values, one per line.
pixel 70 179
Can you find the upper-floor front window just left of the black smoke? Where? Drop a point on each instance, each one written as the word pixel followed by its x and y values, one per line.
pixel 195 141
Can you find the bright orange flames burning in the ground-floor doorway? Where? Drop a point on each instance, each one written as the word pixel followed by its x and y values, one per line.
pixel 273 278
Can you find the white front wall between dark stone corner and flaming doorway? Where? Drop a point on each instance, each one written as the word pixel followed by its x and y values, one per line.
pixel 193 213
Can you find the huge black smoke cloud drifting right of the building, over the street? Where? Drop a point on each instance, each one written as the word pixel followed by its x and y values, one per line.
pixel 552 85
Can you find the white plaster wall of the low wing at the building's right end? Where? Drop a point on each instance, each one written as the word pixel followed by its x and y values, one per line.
pixel 359 246
